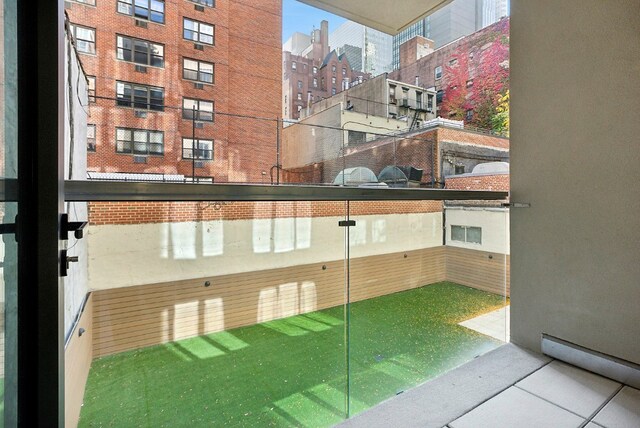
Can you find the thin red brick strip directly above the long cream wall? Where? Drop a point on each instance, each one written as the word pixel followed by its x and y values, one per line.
pixel 102 213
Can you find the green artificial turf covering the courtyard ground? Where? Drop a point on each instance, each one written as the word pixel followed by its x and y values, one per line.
pixel 292 372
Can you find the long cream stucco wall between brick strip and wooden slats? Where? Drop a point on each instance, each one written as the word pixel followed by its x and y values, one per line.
pixel 127 255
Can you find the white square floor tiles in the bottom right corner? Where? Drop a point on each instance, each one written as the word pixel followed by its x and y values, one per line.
pixel 558 395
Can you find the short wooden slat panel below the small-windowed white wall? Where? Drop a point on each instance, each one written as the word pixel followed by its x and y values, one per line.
pixel 476 269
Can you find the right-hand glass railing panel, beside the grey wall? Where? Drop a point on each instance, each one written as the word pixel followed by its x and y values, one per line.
pixel 420 304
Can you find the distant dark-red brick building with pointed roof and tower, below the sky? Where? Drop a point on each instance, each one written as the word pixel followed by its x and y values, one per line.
pixel 315 74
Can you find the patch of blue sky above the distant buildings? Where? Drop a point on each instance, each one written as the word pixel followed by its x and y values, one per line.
pixel 299 17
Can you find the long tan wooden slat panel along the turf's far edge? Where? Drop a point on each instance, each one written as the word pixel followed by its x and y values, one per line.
pixel 134 317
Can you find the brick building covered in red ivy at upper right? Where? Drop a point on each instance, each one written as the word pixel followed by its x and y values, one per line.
pixel 469 74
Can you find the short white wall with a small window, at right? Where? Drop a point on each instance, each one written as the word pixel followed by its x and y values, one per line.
pixel 493 221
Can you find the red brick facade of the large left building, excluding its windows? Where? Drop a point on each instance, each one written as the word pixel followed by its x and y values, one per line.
pixel 247 66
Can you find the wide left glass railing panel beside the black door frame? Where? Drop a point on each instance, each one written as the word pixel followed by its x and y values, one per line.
pixel 215 313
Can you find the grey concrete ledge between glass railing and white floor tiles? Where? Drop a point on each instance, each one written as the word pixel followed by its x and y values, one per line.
pixel 444 399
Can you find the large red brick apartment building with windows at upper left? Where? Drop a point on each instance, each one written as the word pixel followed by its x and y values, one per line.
pixel 151 62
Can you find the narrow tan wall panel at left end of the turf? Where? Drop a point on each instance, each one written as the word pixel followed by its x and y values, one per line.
pixel 77 362
